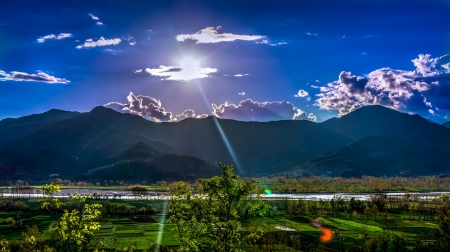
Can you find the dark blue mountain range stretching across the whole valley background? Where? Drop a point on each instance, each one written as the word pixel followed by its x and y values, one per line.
pixel 105 144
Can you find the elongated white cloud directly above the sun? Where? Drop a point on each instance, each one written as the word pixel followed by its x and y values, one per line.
pixel 211 35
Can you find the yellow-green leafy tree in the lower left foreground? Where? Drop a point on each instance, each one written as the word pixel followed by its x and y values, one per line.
pixel 75 228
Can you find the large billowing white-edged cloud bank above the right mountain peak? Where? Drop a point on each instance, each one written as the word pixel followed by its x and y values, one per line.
pixel 418 91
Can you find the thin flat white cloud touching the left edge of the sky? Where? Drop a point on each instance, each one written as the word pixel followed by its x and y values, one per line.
pixel 40 76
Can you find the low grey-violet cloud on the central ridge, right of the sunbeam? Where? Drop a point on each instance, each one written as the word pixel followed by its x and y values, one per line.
pixel 248 110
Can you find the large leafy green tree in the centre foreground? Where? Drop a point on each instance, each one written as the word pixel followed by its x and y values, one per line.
pixel 210 220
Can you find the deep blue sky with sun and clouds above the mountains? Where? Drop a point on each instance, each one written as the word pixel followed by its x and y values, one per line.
pixel 243 60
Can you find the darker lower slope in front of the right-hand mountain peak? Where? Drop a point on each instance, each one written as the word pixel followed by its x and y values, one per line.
pixel 382 155
